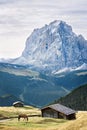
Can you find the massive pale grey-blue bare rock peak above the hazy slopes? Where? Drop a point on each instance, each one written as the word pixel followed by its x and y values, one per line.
pixel 54 47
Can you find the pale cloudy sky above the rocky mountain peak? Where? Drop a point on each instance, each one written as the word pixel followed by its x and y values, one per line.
pixel 18 19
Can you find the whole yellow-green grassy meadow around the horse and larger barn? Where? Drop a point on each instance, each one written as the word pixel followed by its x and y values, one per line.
pixel 37 122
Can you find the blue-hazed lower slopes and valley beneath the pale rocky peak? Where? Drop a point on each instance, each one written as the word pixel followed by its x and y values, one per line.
pixel 35 88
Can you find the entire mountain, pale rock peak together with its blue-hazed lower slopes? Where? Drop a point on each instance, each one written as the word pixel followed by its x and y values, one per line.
pixel 53 63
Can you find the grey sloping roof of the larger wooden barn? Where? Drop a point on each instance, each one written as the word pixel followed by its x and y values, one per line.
pixel 60 108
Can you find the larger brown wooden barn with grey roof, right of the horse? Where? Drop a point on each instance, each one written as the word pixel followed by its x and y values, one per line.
pixel 58 111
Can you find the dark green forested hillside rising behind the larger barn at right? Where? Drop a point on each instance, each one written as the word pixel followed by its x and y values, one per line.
pixel 77 99
